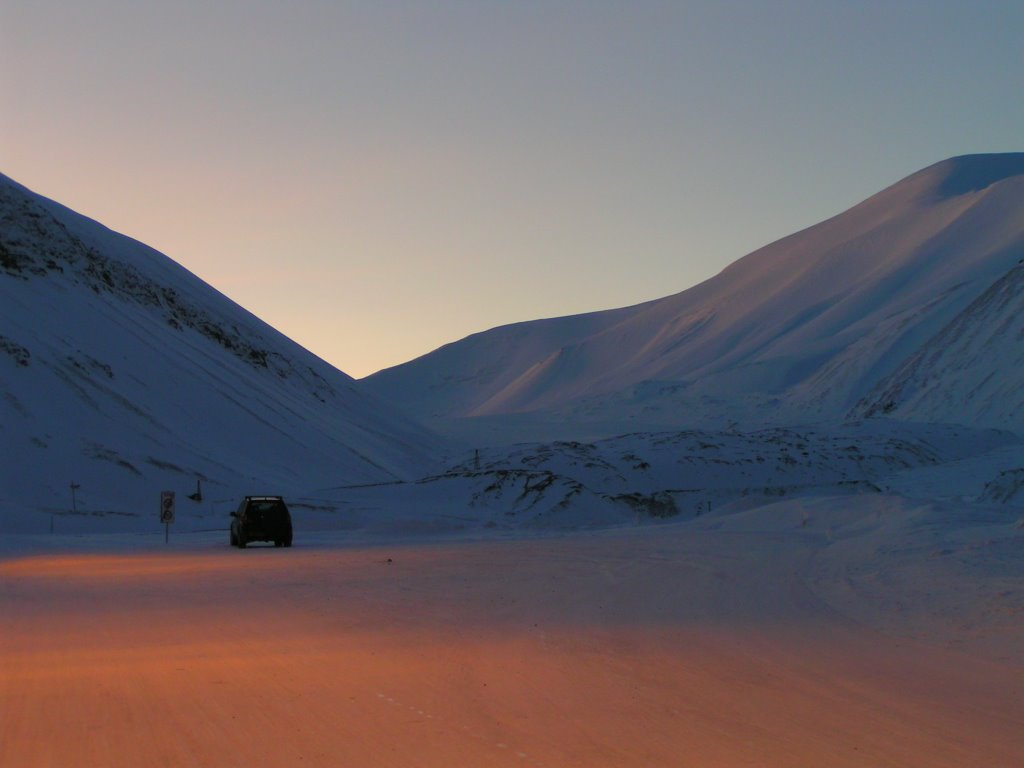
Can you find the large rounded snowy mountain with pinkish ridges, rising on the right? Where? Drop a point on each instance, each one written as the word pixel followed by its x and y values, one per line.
pixel 801 330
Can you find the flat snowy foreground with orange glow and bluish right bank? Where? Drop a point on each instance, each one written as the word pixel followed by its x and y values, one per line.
pixel 860 630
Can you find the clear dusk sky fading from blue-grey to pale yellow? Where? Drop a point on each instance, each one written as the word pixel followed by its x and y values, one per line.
pixel 376 180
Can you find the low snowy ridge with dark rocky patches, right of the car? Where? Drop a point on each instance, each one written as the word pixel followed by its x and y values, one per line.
pixel 678 476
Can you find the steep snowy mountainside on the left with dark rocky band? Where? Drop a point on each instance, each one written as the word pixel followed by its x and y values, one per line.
pixel 125 374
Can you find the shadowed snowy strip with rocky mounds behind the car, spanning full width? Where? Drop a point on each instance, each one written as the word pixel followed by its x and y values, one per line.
pixel 566 486
